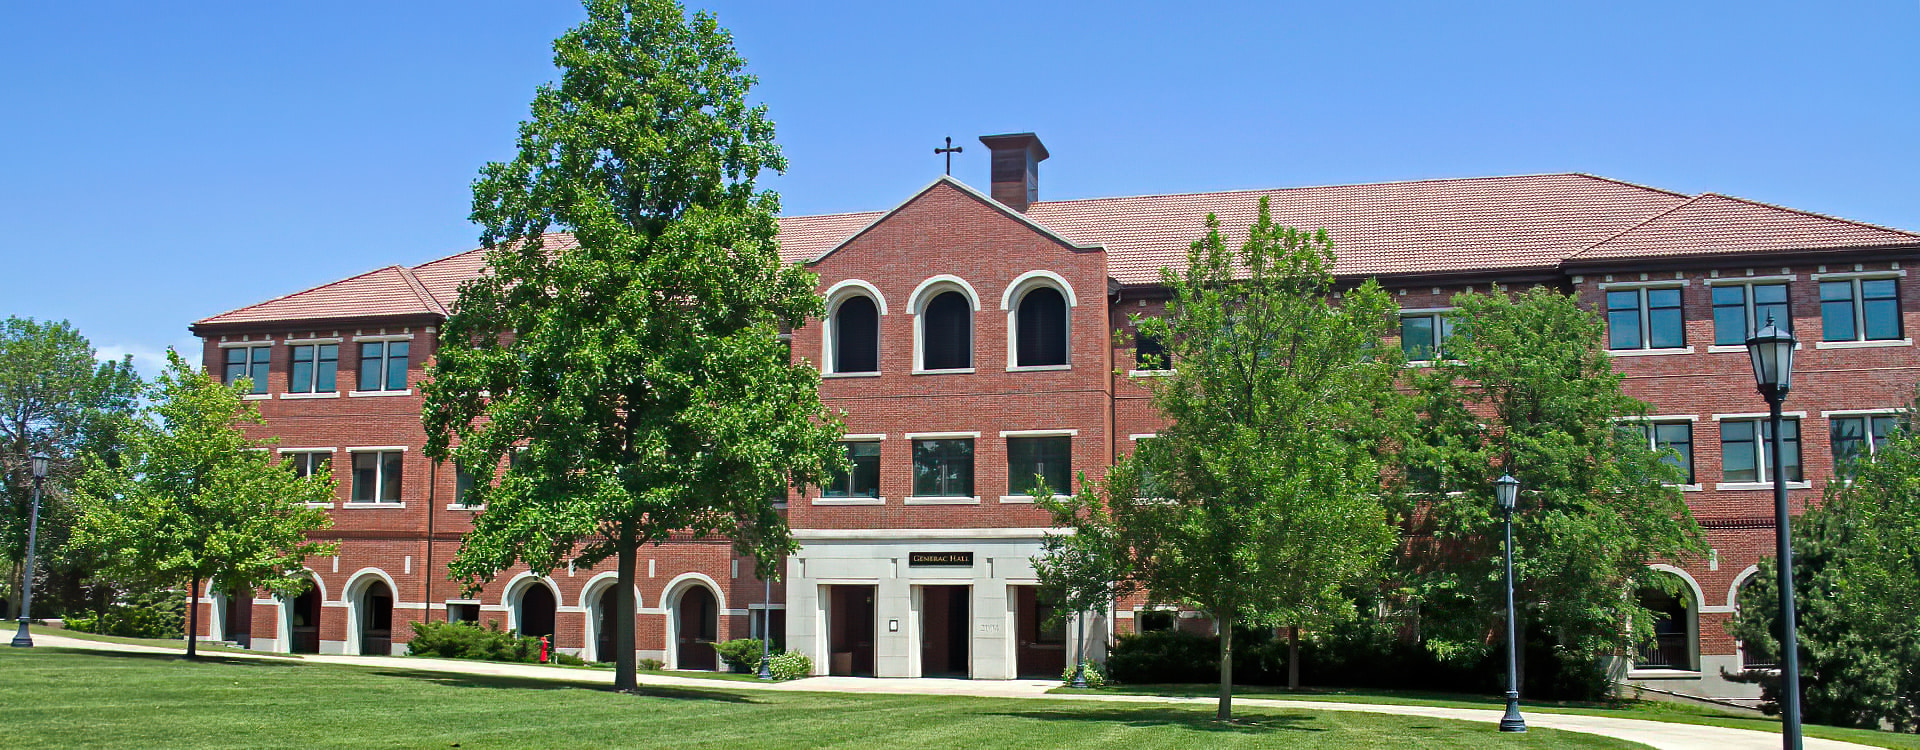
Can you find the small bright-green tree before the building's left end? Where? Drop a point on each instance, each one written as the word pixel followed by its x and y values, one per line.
pixel 197 502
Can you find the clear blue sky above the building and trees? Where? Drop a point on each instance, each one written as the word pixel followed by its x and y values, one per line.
pixel 168 162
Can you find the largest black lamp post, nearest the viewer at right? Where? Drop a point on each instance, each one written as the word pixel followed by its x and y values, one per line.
pixel 1773 371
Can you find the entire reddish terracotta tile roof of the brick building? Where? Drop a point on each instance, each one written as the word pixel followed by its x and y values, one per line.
pixel 1429 227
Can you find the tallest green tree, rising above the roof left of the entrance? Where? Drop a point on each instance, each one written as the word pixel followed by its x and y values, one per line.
pixel 642 371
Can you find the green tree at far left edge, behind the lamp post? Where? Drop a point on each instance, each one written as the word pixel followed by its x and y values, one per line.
pixel 55 398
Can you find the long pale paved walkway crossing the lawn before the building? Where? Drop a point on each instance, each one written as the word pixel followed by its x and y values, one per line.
pixel 1660 736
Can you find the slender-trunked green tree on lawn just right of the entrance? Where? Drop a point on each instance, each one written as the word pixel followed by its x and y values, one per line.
pixel 1260 502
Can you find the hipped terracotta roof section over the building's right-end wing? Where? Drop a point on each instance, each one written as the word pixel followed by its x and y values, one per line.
pixel 1723 225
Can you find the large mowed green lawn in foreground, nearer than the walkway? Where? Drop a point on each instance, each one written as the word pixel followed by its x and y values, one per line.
pixel 72 699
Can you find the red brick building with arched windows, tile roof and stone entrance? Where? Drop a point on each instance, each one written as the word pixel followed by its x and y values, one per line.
pixel 971 340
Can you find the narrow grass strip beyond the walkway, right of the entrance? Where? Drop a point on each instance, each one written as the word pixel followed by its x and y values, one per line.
pixel 1652 711
